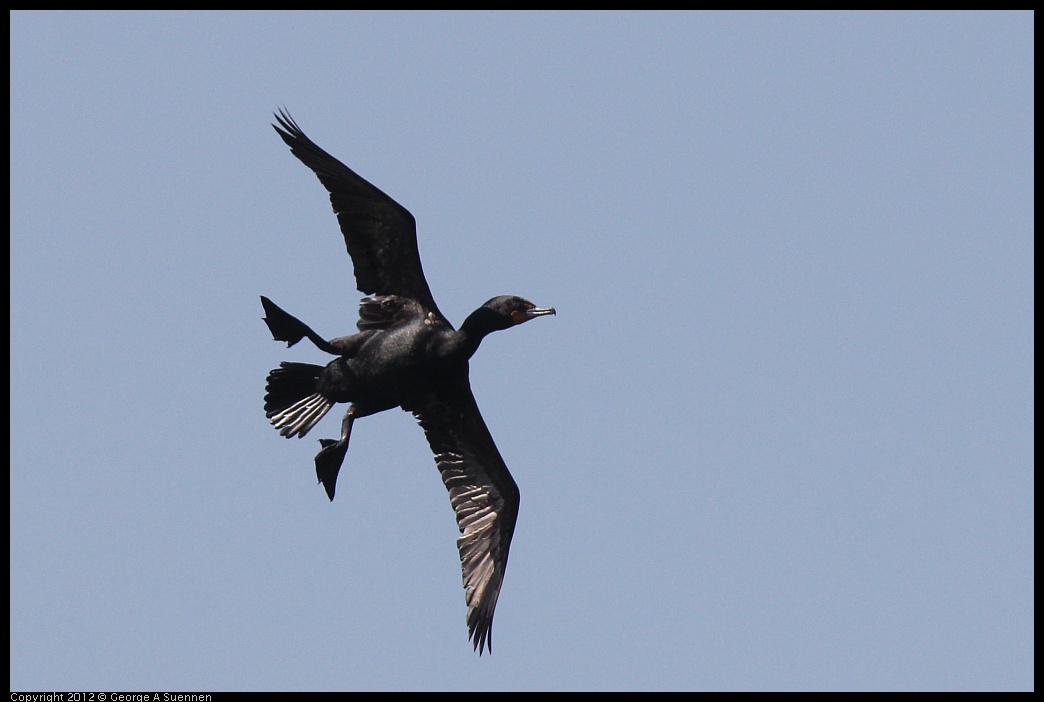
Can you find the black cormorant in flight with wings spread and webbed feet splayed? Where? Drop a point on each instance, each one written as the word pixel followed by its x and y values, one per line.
pixel 407 355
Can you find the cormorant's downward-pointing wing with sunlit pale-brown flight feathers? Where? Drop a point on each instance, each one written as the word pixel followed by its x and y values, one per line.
pixel 484 497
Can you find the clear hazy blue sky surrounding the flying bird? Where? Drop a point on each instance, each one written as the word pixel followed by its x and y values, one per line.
pixel 780 435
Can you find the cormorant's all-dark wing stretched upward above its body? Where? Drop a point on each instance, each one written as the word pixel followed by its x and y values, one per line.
pixel 381 233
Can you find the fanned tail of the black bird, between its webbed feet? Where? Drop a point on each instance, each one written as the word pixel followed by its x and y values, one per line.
pixel 292 402
